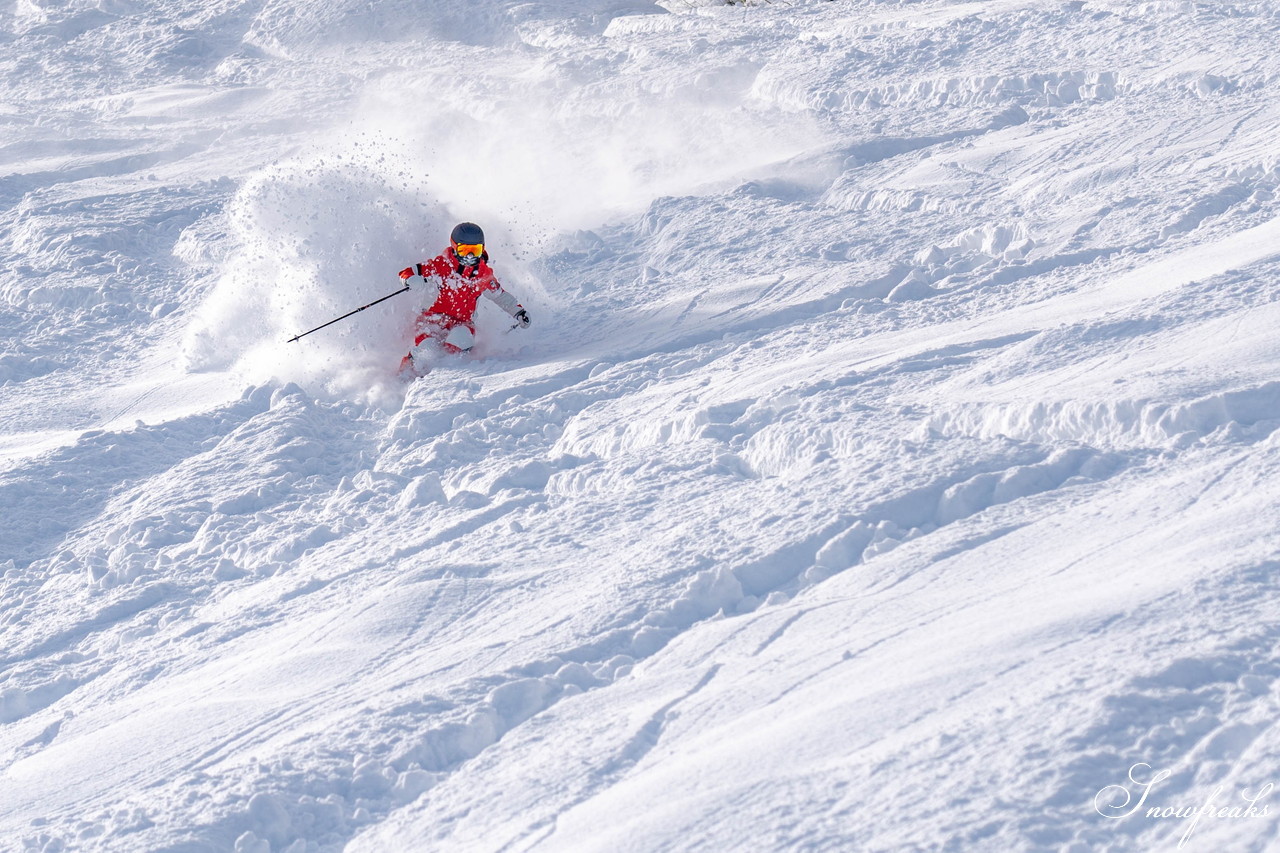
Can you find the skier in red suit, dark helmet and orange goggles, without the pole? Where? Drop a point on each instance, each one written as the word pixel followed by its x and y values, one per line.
pixel 455 281
